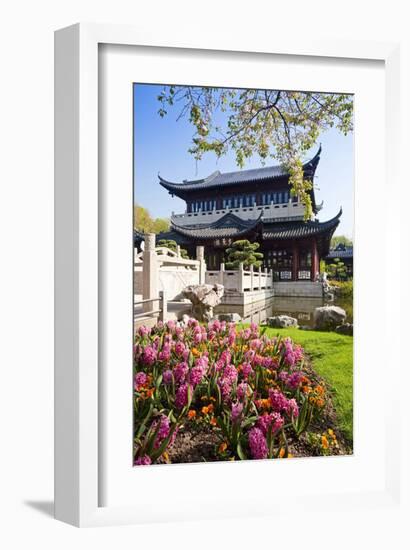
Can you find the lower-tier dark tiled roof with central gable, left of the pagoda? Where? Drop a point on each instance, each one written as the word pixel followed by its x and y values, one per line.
pixel 227 226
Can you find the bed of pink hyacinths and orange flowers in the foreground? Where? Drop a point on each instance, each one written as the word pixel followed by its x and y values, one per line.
pixel 250 391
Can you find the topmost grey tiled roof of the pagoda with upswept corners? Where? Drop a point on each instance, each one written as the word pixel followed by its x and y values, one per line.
pixel 218 179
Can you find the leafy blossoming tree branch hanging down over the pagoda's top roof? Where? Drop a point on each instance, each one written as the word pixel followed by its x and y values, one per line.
pixel 268 123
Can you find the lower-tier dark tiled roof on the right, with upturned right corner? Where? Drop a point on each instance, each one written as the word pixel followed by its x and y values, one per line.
pixel 300 229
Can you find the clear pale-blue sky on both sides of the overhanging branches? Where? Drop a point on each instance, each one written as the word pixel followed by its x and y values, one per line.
pixel 161 146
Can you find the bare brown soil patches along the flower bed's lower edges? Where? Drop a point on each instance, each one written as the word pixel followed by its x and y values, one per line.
pixel 197 443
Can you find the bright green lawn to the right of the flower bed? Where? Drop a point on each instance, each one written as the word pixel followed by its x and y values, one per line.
pixel 332 358
